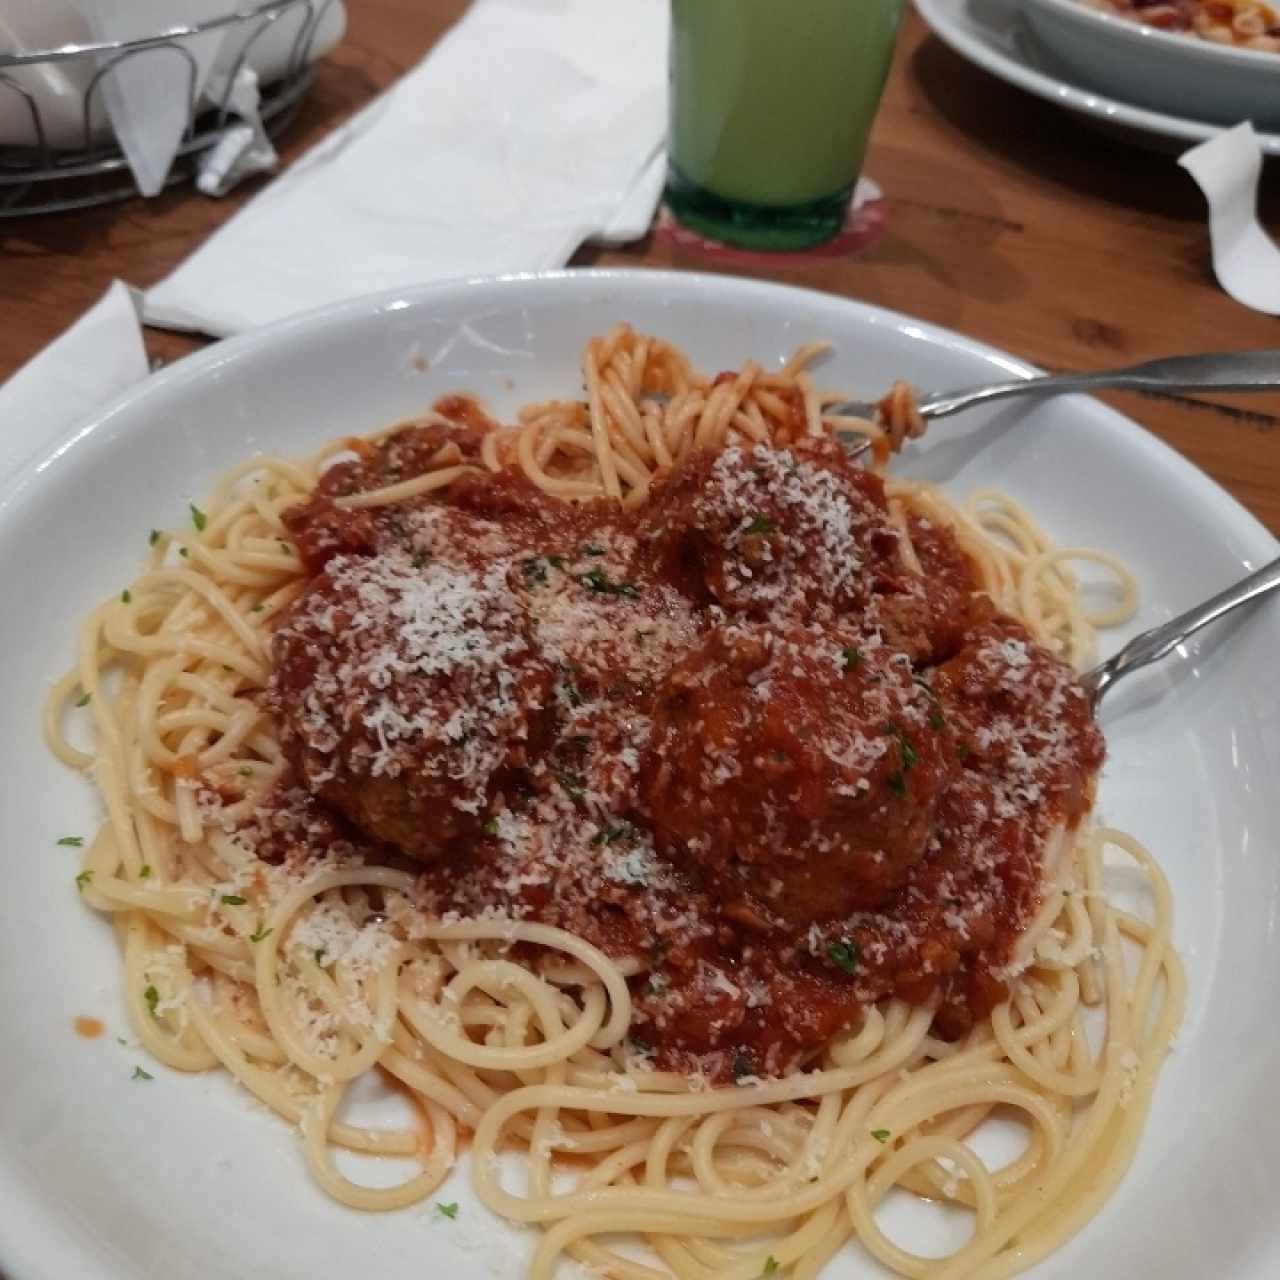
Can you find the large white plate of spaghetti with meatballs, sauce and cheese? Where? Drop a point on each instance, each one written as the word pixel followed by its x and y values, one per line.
pixel 520 798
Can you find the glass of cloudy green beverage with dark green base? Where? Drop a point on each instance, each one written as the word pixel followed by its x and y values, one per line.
pixel 771 107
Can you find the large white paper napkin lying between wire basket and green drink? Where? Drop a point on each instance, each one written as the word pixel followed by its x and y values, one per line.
pixel 532 127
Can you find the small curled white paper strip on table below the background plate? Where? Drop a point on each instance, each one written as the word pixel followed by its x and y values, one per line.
pixel 1246 260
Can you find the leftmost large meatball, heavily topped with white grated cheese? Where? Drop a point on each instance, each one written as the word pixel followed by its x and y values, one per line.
pixel 408 694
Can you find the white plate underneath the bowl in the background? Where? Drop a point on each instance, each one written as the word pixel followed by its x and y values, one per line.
pixel 991 34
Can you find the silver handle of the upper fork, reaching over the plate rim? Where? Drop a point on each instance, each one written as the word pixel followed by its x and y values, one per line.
pixel 1227 372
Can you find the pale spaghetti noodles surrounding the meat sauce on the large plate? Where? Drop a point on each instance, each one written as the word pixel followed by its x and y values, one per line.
pixel 299 977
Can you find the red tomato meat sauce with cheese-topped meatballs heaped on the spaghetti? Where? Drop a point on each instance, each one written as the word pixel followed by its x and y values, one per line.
pixel 764 734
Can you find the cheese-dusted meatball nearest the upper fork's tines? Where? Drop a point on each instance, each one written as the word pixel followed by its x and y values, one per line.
pixel 767 533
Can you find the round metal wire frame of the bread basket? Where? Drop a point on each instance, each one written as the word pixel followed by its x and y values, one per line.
pixel 42 179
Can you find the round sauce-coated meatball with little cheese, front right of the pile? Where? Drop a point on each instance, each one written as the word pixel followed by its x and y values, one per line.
pixel 798 770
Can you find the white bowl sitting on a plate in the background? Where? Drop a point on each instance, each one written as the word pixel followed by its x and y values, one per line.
pixel 1165 71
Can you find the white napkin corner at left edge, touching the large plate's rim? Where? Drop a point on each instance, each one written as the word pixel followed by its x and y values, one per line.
pixel 97 359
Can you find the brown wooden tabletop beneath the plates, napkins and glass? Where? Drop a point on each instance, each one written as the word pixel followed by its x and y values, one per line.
pixel 1008 220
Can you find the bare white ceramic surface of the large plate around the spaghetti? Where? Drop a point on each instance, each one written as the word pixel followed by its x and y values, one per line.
pixel 184 1177
